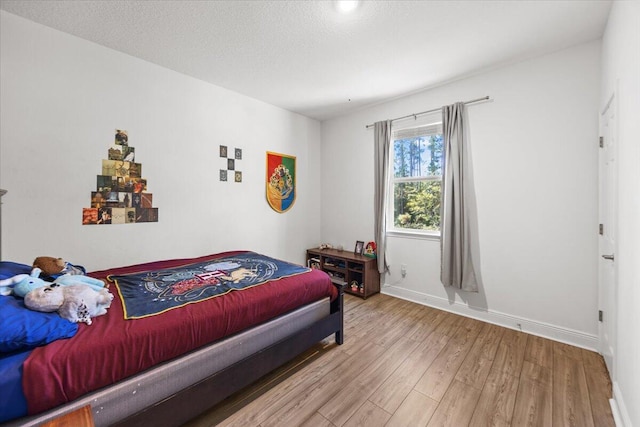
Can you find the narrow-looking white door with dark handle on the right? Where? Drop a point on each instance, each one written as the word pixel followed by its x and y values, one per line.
pixel 608 184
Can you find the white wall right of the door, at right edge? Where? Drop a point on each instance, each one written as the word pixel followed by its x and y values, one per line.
pixel 621 73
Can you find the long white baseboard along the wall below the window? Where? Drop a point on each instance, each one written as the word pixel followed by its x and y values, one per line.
pixel 534 327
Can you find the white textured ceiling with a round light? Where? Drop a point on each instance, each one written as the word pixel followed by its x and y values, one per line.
pixel 306 57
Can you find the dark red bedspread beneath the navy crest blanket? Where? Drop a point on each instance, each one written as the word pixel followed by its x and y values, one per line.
pixel 112 348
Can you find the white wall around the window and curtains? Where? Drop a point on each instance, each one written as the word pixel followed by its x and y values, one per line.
pixel 534 149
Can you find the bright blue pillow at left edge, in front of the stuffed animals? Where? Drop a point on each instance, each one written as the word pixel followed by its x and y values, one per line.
pixel 23 329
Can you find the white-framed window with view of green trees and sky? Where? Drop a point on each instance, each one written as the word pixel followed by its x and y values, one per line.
pixel 416 180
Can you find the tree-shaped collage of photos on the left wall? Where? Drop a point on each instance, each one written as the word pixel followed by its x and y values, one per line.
pixel 120 195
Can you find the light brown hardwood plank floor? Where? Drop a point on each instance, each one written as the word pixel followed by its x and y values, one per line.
pixel 404 364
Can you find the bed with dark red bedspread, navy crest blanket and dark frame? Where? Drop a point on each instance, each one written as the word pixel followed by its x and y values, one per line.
pixel 171 363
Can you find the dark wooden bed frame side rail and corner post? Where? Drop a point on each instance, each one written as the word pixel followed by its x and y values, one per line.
pixel 198 398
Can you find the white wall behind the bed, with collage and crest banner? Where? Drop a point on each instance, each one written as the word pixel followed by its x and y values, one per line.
pixel 61 99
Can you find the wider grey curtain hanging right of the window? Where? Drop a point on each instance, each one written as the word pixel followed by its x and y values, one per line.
pixel 459 233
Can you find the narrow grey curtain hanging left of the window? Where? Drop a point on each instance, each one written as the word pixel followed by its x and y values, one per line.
pixel 382 134
